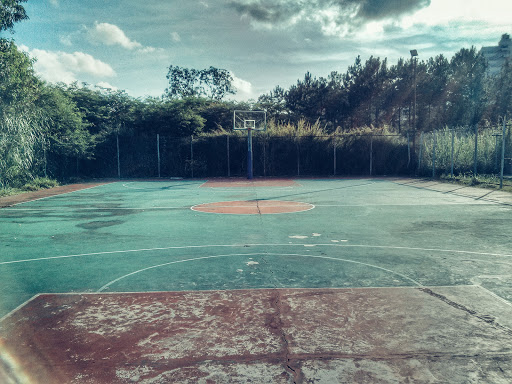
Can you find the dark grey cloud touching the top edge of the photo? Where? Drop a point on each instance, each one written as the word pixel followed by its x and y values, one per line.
pixel 333 17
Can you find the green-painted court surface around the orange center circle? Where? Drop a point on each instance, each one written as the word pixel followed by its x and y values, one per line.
pixel 144 236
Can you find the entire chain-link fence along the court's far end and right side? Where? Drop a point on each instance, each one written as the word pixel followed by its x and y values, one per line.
pixel 448 151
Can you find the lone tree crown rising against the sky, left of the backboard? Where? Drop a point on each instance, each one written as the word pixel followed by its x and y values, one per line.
pixel 212 83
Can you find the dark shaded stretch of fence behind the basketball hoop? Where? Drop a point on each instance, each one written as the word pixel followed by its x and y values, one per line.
pixel 226 155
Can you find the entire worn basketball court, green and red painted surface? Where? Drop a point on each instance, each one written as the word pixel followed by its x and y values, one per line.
pixel 381 280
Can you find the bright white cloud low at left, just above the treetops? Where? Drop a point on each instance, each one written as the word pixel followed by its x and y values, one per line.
pixel 65 67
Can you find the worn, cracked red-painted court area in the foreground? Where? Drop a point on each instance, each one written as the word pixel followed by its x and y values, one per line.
pixel 385 335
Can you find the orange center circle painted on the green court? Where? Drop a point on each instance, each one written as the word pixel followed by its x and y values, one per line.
pixel 253 207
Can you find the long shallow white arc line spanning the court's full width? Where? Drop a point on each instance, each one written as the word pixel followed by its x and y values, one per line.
pixel 267 245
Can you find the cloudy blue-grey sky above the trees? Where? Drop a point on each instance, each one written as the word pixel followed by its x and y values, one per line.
pixel 130 44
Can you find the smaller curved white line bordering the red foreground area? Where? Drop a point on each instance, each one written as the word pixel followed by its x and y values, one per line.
pixel 259 254
